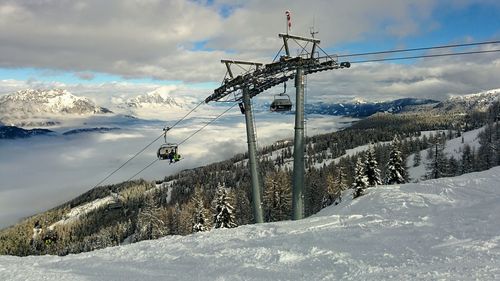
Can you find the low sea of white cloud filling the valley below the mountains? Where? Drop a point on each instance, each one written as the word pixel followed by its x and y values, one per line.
pixel 41 172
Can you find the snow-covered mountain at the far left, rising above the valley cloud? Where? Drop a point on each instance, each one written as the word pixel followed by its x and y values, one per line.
pixel 40 107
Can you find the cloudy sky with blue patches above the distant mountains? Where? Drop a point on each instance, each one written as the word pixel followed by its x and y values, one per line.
pixel 105 47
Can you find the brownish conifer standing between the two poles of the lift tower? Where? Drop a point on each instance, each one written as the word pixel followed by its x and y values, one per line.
pixel 277 196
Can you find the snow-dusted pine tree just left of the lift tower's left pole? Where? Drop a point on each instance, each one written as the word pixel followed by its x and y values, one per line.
pixel 223 211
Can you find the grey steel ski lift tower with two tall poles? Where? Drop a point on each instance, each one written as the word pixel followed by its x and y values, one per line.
pixel 258 78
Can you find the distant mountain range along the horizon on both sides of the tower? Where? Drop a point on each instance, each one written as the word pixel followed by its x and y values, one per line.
pixel 44 108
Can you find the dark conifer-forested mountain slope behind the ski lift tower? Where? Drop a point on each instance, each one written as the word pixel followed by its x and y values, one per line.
pixel 143 210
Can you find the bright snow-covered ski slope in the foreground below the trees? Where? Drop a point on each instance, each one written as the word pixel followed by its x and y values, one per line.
pixel 444 229
